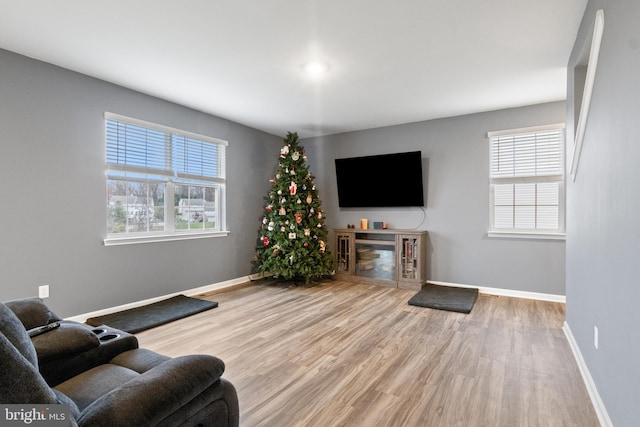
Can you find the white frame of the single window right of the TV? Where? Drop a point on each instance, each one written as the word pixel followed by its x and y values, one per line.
pixel 560 179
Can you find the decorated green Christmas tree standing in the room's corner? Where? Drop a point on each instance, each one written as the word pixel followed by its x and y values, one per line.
pixel 293 235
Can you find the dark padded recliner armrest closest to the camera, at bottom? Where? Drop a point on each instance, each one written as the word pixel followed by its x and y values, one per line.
pixel 156 394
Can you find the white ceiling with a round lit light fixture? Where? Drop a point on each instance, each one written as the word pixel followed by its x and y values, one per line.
pixel 391 61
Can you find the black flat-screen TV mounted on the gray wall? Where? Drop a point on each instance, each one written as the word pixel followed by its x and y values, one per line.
pixel 387 180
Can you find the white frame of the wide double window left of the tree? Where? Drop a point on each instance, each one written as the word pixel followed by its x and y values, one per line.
pixel 170 177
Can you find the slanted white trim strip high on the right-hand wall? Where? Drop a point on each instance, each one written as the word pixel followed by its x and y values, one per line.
pixel 592 65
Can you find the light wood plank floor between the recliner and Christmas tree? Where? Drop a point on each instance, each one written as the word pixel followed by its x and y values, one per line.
pixel 345 354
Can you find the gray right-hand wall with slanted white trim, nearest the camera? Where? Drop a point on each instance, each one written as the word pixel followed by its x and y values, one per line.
pixel 603 242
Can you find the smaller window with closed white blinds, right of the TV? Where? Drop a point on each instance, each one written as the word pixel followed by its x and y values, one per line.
pixel 527 181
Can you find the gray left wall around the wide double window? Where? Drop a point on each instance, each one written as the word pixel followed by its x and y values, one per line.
pixel 53 192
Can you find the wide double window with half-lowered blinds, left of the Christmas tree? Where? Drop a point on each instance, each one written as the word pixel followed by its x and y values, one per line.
pixel 162 183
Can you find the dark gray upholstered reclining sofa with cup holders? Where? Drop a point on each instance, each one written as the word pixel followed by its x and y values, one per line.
pixel 104 377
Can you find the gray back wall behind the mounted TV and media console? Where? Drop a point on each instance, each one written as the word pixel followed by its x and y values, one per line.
pixel 455 164
